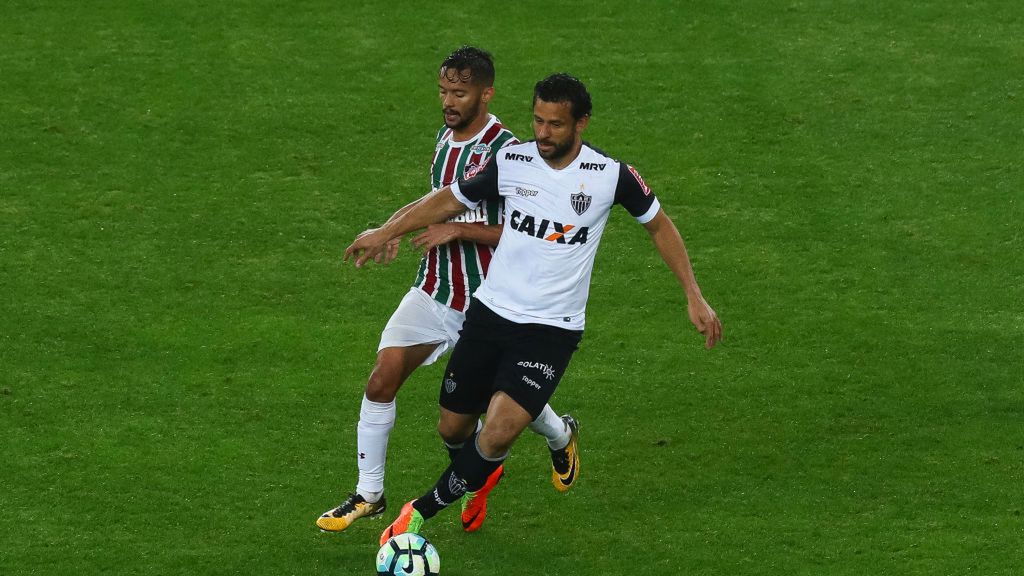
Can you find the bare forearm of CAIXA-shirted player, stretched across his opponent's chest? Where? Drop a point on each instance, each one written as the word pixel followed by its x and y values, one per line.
pixel 435 208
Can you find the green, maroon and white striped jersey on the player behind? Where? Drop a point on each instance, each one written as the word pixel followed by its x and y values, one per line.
pixel 451 274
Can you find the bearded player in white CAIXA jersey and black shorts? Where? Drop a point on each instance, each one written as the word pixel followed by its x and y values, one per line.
pixel 526 321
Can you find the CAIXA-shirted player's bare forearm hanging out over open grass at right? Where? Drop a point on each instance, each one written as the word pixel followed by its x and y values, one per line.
pixel 670 244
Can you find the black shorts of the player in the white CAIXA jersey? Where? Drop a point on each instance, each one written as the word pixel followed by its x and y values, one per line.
pixel 525 361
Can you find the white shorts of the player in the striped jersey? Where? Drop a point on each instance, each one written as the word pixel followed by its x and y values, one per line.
pixel 422 320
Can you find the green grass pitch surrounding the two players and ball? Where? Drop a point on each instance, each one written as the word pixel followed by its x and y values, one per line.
pixel 183 351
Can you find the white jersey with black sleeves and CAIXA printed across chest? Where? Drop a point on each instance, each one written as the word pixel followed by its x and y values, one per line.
pixel 554 221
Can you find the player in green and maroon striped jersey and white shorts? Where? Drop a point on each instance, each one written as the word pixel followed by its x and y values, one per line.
pixel 426 324
